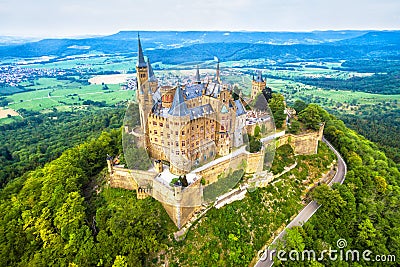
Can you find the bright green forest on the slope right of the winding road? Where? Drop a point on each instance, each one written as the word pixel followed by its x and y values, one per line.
pixel 363 211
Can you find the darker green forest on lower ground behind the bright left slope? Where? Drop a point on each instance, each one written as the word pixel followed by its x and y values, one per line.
pixel 40 138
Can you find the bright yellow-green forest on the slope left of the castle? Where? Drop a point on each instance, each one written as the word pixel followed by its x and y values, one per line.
pixel 58 215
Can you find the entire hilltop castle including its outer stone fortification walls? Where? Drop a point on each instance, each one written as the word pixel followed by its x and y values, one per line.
pixel 194 130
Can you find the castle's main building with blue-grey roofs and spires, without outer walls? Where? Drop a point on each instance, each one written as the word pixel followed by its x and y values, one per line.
pixel 187 125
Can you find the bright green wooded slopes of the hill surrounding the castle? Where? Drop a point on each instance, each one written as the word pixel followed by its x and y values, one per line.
pixel 63 214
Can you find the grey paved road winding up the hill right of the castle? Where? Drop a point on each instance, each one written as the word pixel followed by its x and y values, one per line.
pixel 308 211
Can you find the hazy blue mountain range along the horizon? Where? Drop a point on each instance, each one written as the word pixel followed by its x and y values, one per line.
pixel 178 47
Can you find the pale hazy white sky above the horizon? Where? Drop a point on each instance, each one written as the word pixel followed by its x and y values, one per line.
pixel 60 18
